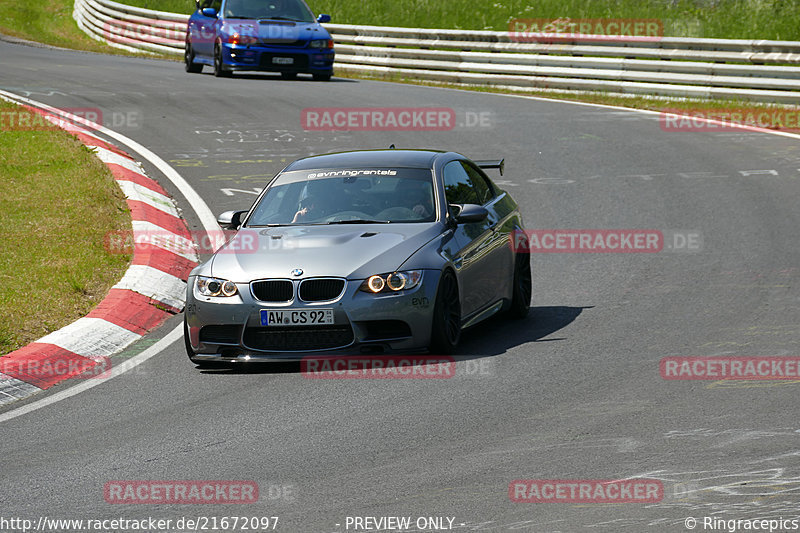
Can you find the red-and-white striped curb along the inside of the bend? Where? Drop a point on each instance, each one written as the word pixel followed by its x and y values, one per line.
pixel 152 289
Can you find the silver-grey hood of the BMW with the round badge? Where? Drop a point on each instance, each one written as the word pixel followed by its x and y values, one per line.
pixel 348 251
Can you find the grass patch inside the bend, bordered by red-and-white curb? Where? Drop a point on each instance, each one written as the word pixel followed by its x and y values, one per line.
pixel 58 203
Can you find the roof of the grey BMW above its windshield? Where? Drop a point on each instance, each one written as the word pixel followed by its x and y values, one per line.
pixel 368 158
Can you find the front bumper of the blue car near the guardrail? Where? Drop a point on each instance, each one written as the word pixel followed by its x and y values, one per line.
pixel 276 59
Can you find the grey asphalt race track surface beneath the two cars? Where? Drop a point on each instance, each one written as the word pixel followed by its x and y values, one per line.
pixel 573 392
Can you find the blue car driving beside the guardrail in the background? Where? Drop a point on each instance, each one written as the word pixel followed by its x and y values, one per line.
pixel 265 35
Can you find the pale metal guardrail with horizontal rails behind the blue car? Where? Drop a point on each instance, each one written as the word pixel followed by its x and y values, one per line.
pixel 668 66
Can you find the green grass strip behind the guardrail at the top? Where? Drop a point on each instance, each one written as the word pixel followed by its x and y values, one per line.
pixel 730 19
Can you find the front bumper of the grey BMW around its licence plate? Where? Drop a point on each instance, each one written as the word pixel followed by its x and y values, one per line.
pixel 229 329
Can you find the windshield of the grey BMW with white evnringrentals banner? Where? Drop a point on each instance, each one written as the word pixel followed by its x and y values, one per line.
pixel 347 196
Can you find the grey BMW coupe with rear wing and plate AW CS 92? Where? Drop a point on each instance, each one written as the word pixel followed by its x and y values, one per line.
pixel 376 251
